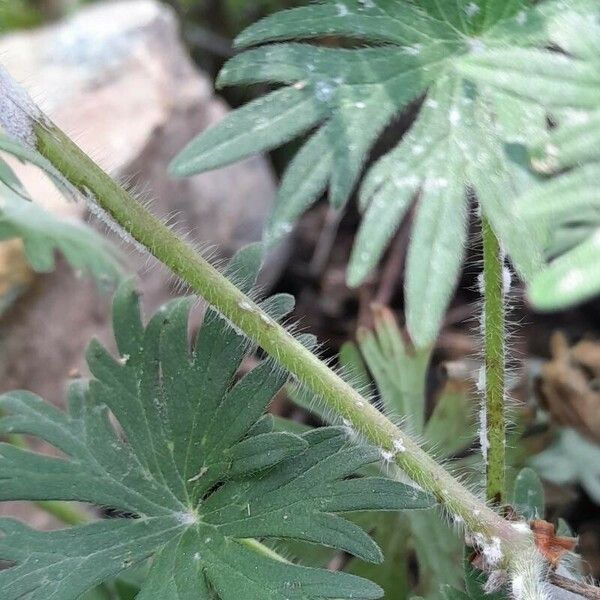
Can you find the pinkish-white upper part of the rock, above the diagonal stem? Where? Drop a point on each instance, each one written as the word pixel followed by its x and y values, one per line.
pixel 117 78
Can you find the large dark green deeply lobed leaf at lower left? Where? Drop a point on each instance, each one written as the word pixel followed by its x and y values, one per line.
pixel 198 468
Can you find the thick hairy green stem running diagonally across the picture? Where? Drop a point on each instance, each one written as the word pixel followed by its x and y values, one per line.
pixel 334 393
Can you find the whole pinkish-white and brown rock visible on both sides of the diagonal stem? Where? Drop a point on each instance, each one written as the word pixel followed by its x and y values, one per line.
pixel 117 78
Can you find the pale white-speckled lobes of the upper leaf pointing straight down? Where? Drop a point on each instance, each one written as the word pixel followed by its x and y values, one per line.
pixel 448 149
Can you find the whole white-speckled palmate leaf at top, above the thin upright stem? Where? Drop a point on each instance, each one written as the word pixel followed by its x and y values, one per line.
pixel 345 97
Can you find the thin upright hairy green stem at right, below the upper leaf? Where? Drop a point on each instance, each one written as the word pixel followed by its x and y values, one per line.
pixel 494 355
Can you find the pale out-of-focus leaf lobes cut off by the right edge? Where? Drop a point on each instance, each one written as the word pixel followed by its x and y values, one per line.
pixel 567 206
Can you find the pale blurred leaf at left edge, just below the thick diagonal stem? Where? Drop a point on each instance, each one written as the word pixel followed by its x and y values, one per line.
pixel 43 233
